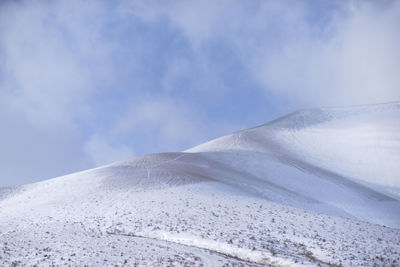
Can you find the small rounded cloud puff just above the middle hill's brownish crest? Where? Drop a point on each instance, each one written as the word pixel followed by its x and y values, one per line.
pixel 161 123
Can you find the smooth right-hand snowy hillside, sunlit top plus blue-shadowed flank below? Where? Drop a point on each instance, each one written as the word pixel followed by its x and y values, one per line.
pixel 332 158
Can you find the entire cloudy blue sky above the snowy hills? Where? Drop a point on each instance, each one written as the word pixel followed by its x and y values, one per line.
pixel 87 83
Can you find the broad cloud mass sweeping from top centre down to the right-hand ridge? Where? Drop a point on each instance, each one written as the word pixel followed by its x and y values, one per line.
pixel 348 54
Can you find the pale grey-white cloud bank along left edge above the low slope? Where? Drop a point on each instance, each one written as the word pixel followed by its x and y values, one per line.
pixel 48 71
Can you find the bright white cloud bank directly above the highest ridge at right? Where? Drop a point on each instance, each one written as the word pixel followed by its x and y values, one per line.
pixel 356 64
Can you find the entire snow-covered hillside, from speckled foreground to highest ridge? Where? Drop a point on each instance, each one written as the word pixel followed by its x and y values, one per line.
pixel 318 186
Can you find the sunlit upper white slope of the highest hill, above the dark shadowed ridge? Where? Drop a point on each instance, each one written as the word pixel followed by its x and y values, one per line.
pixel 360 142
